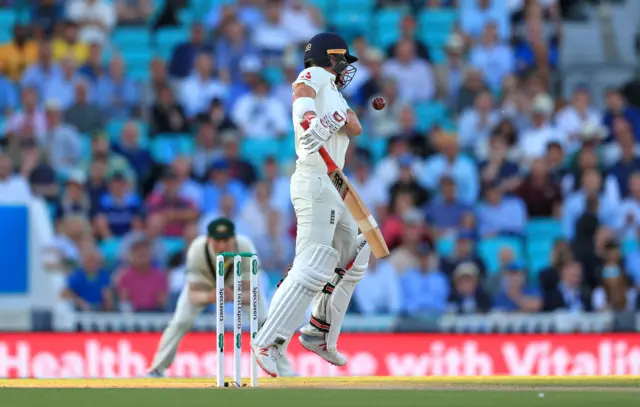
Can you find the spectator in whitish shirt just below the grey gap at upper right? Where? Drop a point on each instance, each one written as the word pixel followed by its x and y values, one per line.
pixel 572 118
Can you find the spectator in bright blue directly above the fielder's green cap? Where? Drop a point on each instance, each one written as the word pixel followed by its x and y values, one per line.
pixel 221 183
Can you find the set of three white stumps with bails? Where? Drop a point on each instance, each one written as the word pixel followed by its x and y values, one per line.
pixel 237 315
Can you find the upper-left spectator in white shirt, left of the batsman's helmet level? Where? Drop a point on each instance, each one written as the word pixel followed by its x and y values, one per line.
pixel 197 91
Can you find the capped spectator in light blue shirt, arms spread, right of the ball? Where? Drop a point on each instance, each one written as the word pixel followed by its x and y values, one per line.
pixel 450 161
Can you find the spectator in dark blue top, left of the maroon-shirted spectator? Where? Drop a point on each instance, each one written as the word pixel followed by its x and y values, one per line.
pixel 119 210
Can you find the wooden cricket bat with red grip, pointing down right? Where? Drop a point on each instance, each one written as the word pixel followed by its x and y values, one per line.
pixel 367 224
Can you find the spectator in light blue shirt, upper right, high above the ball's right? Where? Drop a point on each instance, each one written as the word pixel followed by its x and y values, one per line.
pixel 492 57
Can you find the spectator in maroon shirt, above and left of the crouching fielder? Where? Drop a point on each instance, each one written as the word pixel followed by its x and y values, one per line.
pixel 177 211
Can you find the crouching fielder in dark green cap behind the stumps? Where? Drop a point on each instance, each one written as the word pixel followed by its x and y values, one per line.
pixel 201 268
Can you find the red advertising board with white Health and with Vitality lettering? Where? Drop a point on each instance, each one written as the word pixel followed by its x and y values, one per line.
pixel 59 355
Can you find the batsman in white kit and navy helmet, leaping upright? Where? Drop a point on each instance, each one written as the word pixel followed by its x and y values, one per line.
pixel 326 232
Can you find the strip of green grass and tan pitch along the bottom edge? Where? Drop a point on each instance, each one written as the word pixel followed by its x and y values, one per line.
pixel 621 391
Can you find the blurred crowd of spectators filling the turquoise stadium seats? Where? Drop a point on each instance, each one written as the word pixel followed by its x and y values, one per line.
pixel 492 192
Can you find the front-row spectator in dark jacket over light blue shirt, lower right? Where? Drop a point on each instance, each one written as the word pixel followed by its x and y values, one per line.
pixel 569 294
